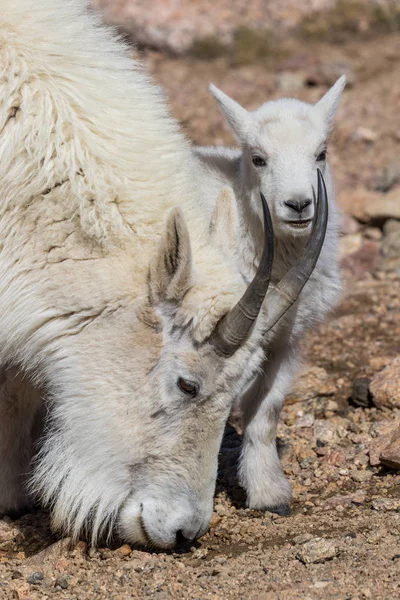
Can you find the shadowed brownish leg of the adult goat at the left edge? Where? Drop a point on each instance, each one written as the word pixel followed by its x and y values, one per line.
pixel 20 407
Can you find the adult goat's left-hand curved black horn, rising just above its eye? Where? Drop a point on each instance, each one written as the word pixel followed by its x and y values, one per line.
pixel 234 328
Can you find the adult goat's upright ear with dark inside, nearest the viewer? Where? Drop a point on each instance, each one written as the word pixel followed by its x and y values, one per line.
pixel 171 269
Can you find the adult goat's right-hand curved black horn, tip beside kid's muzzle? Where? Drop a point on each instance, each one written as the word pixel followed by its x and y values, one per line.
pixel 281 297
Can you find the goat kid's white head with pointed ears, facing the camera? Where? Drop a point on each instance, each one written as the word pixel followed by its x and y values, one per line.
pixel 283 143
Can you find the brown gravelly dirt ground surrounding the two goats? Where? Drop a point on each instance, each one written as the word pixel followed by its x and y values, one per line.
pixel 342 539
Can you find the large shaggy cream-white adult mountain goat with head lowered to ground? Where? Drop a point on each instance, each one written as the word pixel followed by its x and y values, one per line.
pixel 140 332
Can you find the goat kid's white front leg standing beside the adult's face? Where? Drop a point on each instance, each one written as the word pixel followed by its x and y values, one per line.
pixel 260 471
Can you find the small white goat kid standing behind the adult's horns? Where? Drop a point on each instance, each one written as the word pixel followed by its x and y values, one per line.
pixel 289 136
